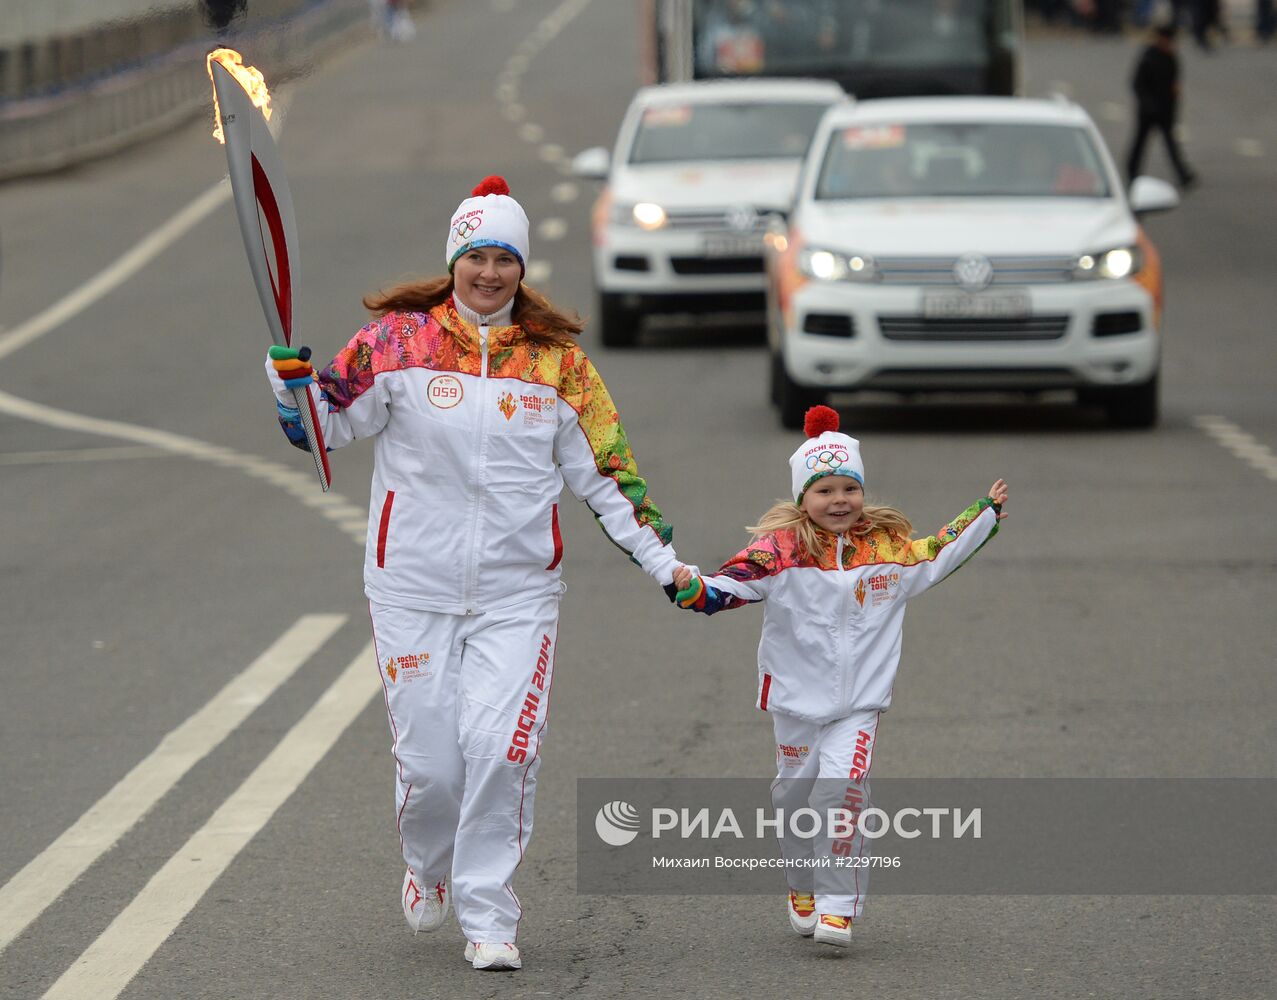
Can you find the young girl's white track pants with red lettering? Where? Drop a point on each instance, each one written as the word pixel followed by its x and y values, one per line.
pixel 824 767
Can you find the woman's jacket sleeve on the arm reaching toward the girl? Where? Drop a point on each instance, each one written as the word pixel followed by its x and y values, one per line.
pixel 600 468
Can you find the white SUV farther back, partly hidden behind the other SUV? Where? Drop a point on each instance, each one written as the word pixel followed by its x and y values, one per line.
pixel 698 173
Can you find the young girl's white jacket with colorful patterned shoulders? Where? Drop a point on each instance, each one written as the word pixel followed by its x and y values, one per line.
pixel 832 623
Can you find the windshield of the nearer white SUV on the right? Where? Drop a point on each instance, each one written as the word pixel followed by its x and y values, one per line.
pixel 1015 160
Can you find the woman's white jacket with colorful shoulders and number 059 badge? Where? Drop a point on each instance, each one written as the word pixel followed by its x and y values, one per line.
pixel 474 439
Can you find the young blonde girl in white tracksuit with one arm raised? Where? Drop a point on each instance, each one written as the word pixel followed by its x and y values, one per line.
pixel 836 575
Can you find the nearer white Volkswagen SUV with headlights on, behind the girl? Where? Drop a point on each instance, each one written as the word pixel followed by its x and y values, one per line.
pixel 966 243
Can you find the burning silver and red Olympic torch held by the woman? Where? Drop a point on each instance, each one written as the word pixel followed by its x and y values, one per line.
pixel 265 209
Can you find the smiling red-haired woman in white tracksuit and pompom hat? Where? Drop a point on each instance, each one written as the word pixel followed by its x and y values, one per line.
pixel 482 407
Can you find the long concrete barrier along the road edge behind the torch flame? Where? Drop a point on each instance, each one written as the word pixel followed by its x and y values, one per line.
pixel 150 89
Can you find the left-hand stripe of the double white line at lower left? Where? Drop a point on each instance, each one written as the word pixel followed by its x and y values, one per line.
pixel 47 877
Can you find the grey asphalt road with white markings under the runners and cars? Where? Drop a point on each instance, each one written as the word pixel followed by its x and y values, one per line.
pixel 1114 629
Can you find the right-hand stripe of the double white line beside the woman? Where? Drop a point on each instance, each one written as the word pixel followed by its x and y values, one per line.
pixel 108 965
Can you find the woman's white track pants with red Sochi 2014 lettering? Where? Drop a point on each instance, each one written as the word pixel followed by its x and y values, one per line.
pixel 468 699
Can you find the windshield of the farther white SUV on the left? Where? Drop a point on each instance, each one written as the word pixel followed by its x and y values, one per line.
pixel 739 131
